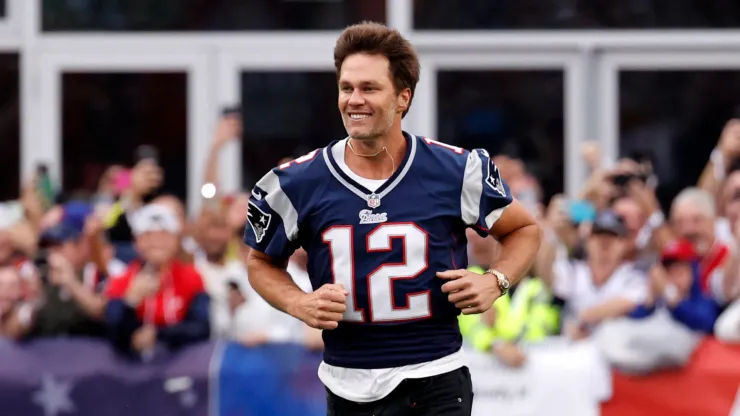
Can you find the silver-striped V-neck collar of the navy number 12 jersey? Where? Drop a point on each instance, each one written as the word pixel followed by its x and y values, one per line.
pixel 373 198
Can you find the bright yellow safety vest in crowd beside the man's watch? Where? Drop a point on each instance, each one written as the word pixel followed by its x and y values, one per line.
pixel 527 315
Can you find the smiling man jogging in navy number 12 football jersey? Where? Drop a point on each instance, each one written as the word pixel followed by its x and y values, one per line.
pixel 382 216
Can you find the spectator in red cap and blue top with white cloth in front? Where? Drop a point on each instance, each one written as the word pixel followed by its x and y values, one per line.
pixel 667 328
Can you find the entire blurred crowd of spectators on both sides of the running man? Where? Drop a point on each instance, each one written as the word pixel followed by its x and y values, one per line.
pixel 127 264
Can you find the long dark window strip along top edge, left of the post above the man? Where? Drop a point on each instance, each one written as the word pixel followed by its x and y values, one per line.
pixel 207 15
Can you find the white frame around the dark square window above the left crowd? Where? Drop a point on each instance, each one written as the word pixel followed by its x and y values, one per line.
pixel 42 139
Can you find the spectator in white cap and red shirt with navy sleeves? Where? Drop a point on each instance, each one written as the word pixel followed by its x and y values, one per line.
pixel 159 299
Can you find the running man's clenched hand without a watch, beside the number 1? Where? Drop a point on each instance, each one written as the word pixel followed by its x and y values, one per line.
pixel 323 308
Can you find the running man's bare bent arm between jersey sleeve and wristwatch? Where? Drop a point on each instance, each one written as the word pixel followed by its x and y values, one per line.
pixel 520 236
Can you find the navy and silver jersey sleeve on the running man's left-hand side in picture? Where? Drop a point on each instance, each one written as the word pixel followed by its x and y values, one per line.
pixel 272 220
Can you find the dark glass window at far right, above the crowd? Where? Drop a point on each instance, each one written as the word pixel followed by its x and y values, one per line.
pixel 676 117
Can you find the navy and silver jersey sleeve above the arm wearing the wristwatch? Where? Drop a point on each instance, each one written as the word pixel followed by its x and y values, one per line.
pixel 484 192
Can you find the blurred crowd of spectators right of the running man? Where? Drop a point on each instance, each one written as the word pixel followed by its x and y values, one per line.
pixel 645 286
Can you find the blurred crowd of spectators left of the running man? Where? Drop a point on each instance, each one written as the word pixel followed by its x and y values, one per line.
pixel 128 265
